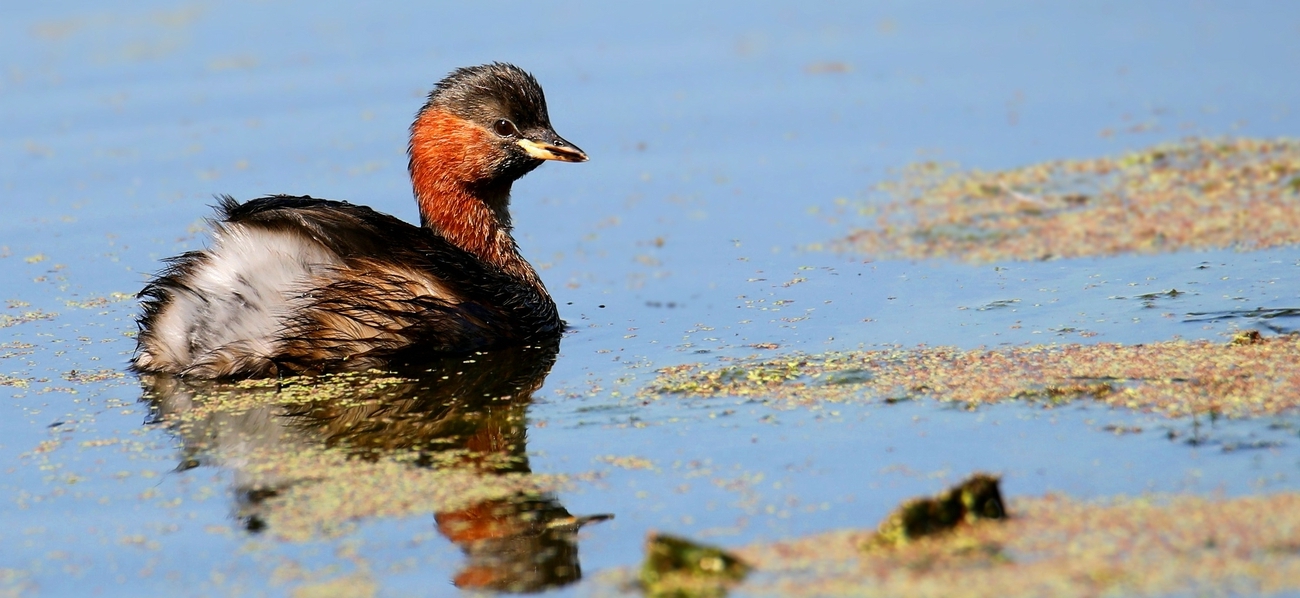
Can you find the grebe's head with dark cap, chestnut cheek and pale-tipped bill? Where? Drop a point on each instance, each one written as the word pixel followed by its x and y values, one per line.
pixel 487 125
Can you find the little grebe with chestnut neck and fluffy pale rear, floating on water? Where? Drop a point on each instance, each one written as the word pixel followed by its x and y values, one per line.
pixel 311 285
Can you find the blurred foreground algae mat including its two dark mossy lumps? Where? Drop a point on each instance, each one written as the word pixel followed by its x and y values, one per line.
pixel 1052 545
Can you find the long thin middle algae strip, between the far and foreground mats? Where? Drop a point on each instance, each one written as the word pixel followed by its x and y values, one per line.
pixel 1249 376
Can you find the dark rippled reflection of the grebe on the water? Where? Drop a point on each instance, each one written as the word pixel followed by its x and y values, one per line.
pixel 462 414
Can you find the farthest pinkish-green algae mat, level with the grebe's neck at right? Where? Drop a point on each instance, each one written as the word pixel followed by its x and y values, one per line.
pixel 1186 196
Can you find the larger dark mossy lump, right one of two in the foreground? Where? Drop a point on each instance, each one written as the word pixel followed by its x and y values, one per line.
pixel 977 499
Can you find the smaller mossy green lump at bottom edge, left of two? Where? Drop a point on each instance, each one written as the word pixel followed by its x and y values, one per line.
pixel 678 567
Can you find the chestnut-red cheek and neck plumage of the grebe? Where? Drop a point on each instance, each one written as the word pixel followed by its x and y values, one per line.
pixel 449 161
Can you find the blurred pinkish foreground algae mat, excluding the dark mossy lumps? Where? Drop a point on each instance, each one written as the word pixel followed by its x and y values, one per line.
pixel 1061 548
